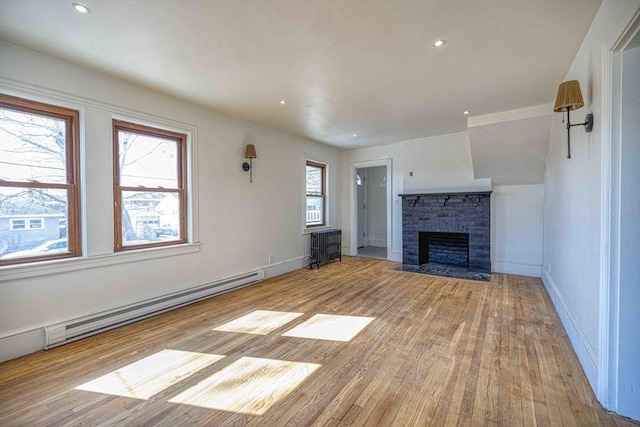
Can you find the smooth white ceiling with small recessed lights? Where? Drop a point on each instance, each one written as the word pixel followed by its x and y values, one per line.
pixel 345 67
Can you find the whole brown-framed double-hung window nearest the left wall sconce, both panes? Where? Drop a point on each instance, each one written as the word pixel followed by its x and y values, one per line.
pixel 150 186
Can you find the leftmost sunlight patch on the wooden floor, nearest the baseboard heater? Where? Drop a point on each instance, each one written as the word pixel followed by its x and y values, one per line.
pixel 151 375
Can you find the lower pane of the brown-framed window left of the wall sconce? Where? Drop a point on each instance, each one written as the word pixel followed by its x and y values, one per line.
pixel 149 217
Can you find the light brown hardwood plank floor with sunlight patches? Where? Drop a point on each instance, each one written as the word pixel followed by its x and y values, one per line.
pixel 353 343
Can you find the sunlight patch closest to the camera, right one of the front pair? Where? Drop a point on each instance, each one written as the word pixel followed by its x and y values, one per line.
pixel 250 385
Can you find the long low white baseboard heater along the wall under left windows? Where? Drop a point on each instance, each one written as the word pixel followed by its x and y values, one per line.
pixel 73 330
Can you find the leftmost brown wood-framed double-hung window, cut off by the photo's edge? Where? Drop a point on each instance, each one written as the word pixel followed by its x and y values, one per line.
pixel 39 181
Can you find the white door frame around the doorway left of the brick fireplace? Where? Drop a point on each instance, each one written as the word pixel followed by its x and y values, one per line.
pixel 353 202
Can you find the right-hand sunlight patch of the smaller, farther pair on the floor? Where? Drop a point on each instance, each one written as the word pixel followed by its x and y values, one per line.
pixel 330 327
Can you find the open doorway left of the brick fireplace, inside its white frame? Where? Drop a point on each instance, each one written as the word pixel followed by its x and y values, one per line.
pixel 371 188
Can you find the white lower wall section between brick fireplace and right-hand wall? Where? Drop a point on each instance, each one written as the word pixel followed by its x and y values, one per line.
pixel 516 222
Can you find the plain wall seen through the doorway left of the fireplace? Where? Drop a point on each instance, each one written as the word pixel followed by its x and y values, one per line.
pixel 376 206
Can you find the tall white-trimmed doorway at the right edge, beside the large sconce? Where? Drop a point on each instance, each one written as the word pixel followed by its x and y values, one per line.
pixel 623 383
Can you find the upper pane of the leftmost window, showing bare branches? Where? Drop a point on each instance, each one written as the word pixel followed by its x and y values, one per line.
pixel 32 147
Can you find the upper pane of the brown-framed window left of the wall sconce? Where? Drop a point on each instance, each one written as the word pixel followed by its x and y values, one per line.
pixel 148 161
